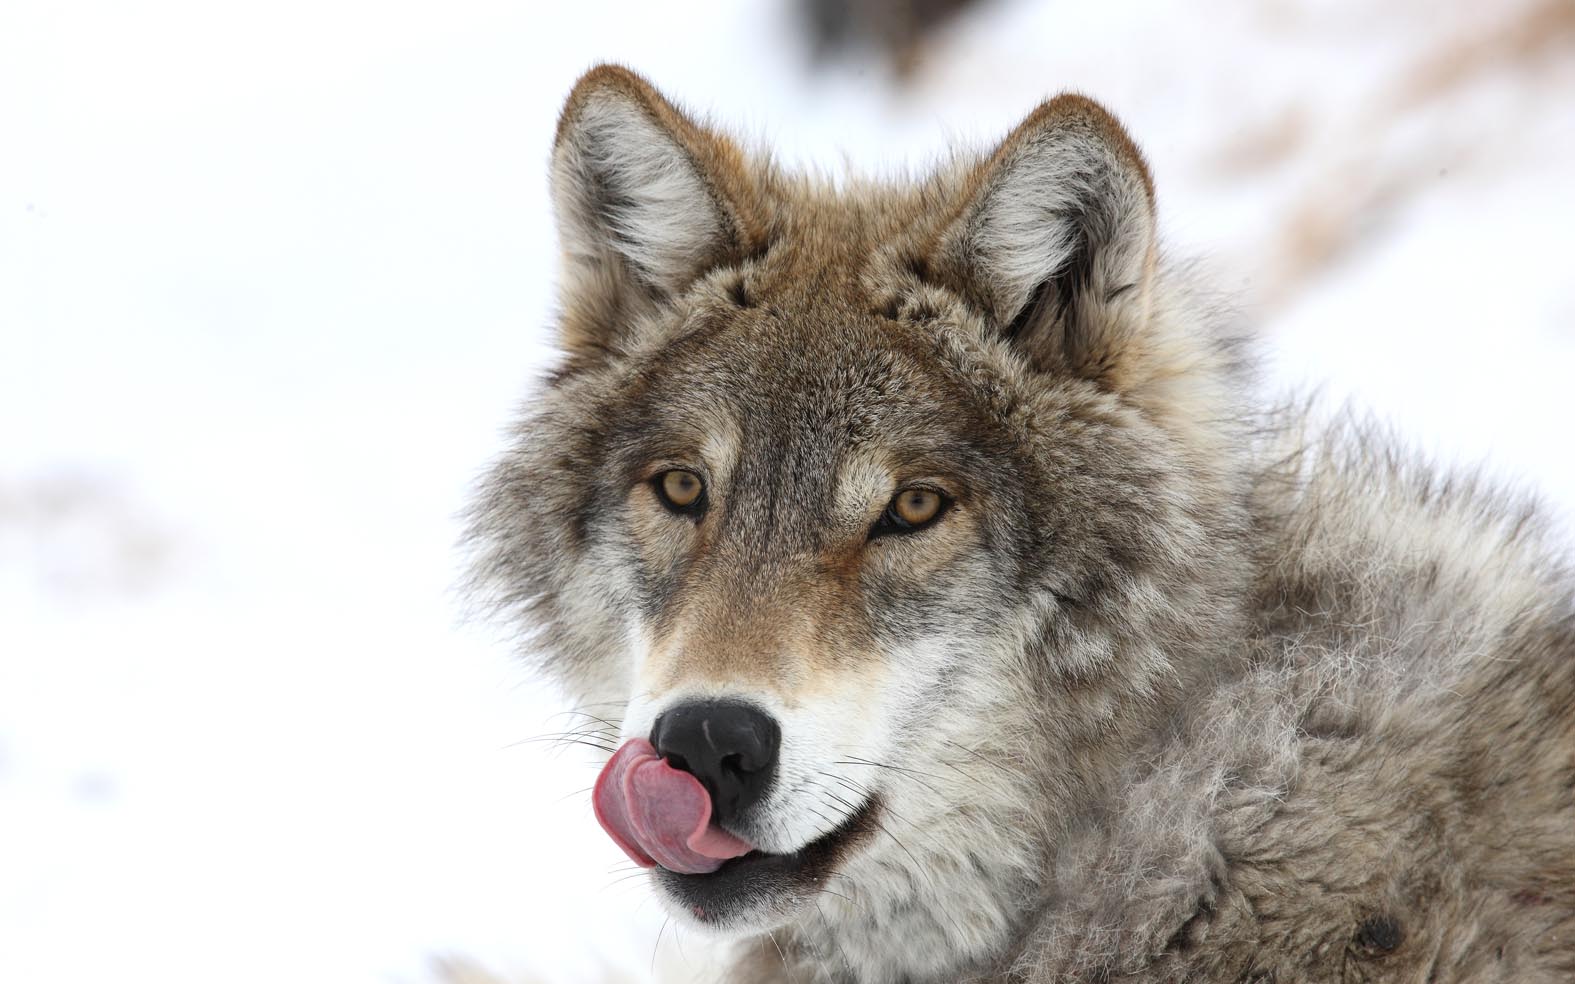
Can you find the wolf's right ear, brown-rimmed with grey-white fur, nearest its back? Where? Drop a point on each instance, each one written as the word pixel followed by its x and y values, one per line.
pixel 1056 240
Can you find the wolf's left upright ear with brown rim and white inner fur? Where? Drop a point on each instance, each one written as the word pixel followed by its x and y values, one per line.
pixel 647 202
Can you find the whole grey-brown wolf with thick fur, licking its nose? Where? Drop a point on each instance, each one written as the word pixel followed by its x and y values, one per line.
pixel 955 607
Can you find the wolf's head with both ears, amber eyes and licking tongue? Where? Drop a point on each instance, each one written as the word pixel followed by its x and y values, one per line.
pixel 886 519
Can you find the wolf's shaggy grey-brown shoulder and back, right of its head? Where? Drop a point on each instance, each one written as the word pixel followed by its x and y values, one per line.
pixel 1388 793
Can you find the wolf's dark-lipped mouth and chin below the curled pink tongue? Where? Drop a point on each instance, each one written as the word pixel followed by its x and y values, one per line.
pixel 768 881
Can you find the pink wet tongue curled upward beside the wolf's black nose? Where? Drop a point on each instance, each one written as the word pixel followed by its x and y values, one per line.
pixel 661 815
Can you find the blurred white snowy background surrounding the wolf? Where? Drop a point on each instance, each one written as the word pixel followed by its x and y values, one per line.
pixel 273 278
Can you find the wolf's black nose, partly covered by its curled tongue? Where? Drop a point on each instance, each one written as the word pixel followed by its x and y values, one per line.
pixel 728 745
